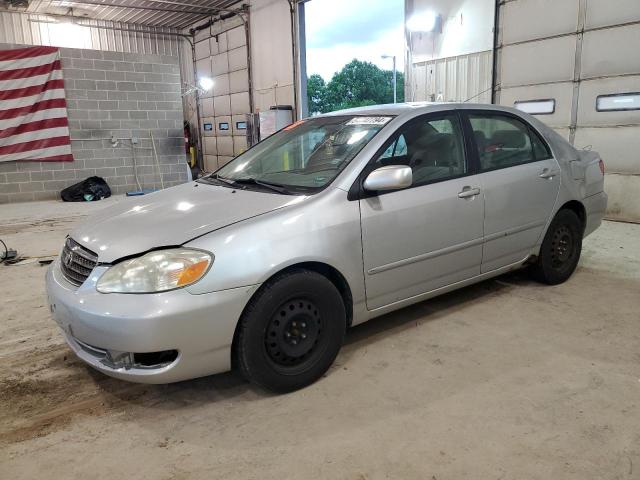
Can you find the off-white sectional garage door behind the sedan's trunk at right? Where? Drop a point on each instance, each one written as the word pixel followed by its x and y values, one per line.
pixel 572 51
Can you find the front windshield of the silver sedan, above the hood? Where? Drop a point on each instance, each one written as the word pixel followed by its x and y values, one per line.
pixel 305 156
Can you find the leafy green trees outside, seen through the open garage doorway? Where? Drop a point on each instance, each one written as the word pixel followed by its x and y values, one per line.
pixel 357 84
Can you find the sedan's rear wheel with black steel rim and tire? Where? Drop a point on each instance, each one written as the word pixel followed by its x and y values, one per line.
pixel 560 250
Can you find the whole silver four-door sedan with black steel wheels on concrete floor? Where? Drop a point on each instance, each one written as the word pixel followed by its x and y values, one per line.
pixel 330 222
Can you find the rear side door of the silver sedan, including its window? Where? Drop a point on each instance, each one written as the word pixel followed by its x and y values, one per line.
pixel 520 180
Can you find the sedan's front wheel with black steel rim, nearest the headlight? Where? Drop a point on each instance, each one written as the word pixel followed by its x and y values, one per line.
pixel 291 331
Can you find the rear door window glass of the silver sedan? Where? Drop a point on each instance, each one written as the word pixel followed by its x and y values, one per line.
pixel 504 142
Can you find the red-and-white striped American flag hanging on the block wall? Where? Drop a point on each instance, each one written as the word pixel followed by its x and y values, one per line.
pixel 33 108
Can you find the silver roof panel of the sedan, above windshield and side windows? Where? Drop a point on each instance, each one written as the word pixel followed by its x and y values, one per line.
pixel 398 109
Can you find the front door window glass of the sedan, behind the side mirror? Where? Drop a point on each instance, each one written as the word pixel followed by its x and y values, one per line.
pixel 432 147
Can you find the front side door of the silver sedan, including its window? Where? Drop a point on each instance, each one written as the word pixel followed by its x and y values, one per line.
pixel 429 235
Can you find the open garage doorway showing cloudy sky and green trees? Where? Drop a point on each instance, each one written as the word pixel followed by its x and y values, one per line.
pixel 349 50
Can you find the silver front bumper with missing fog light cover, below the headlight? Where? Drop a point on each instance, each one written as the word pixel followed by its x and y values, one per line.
pixel 149 338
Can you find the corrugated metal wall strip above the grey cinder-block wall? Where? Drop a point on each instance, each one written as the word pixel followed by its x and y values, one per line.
pixel 20 28
